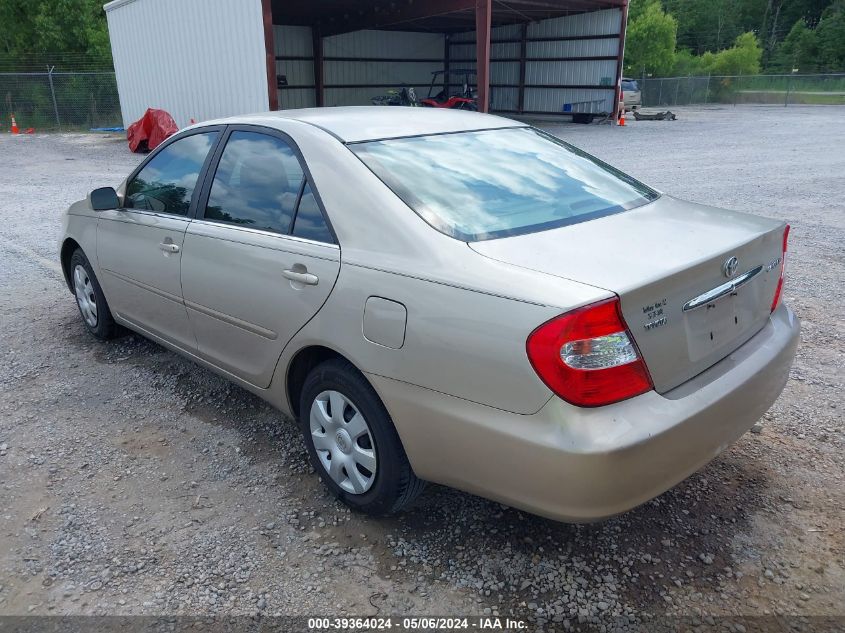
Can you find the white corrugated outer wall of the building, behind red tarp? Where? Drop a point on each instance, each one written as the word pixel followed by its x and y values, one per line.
pixel 217 69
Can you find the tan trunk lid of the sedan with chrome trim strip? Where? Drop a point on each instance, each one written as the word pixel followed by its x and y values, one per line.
pixel 658 259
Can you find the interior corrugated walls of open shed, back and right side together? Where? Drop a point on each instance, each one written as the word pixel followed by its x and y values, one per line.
pixel 569 61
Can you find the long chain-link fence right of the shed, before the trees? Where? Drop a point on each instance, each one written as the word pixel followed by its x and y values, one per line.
pixel 661 92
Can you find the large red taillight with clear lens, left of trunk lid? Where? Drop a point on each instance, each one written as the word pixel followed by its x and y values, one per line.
pixel 588 357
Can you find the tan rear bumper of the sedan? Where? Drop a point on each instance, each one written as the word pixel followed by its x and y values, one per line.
pixel 574 464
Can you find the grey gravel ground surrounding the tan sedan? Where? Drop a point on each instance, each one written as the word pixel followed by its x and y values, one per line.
pixel 133 482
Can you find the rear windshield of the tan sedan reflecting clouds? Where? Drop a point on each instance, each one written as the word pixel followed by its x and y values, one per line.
pixel 482 185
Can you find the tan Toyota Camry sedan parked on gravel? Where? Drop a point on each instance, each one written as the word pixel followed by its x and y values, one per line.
pixel 446 296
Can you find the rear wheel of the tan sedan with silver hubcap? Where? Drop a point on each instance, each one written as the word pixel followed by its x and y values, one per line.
pixel 352 442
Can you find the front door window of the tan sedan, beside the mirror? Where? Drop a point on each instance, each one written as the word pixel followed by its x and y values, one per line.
pixel 167 182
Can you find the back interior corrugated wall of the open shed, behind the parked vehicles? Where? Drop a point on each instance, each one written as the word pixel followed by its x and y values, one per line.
pixel 357 66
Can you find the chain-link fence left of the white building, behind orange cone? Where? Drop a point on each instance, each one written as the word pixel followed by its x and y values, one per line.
pixel 53 100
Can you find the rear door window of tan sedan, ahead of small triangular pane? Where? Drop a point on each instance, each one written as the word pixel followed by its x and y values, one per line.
pixel 257 184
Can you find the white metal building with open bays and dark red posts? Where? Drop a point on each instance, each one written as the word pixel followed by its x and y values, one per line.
pixel 201 59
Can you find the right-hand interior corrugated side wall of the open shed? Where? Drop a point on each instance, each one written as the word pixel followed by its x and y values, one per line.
pixel 569 60
